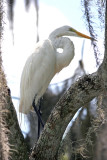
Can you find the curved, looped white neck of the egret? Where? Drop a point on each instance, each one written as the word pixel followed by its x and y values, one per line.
pixel 63 59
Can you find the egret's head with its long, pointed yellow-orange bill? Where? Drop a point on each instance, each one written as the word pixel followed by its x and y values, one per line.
pixel 68 31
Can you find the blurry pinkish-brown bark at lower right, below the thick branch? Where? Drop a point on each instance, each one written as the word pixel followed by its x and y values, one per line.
pixel 101 142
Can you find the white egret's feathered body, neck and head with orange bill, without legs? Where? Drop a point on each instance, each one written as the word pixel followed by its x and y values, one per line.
pixel 44 63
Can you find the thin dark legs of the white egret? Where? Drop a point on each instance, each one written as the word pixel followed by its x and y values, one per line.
pixel 39 116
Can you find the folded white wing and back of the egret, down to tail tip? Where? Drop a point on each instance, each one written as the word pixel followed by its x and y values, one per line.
pixel 37 74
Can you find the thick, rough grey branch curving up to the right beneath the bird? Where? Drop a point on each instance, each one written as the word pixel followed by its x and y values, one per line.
pixel 80 93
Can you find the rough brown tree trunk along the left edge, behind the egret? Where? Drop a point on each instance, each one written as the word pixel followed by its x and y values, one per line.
pixel 12 144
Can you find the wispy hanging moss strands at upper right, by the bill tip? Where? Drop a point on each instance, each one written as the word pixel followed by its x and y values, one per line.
pixel 90 21
